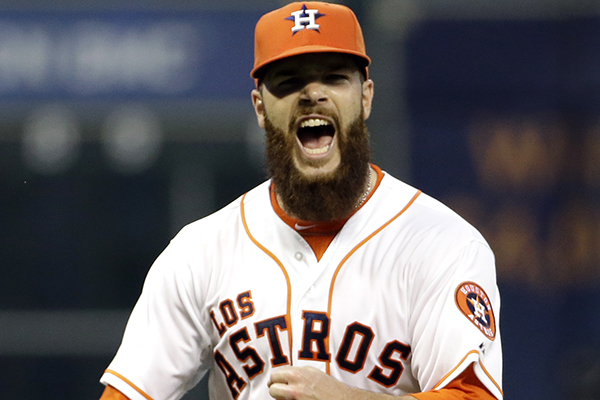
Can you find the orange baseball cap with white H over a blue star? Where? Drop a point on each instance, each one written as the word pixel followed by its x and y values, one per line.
pixel 307 27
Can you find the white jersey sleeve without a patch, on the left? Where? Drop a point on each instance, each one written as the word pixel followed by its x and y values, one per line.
pixel 165 347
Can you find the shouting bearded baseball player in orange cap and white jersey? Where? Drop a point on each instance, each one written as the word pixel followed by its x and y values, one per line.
pixel 331 280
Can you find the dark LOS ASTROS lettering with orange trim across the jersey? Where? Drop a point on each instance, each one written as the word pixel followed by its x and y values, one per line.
pixel 357 337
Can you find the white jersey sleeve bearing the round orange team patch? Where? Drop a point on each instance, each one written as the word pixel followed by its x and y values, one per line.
pixel 455 320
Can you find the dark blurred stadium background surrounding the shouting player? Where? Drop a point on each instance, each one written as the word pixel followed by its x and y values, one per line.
pixel 122 121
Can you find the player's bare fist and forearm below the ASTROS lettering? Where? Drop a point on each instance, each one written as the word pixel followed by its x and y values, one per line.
pixel 308 383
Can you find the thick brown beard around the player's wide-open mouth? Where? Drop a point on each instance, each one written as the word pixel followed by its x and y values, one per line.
pixel 325 198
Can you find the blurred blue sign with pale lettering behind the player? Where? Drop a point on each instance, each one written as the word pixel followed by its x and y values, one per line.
pixel 132 54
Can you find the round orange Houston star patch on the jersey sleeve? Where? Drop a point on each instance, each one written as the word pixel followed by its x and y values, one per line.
pixel 474 303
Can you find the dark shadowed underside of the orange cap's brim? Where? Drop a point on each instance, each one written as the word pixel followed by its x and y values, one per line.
pixel 311 64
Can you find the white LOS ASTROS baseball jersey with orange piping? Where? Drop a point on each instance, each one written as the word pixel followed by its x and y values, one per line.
pixel 402 301
